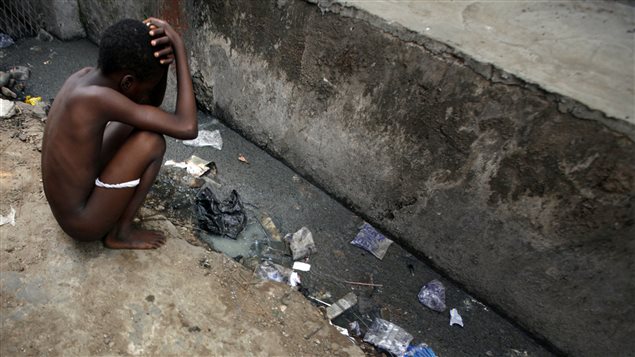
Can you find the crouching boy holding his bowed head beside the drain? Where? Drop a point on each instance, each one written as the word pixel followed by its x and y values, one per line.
pixel 103 143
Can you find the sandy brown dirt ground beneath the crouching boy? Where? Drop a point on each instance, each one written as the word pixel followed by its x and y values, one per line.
pixel 59 297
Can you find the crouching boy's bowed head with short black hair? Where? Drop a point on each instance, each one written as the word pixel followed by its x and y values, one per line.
pixel 125 48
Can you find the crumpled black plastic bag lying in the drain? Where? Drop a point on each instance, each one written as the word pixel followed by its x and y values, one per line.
pixel 226 218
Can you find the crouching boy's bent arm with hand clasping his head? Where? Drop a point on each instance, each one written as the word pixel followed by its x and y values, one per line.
pixel 183 123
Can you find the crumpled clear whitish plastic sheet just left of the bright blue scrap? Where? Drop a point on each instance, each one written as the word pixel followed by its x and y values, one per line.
pixel 388 336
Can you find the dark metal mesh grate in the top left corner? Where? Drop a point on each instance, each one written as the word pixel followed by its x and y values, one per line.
pixel 20 18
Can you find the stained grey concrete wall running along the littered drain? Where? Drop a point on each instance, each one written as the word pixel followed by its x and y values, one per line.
pixel 525 197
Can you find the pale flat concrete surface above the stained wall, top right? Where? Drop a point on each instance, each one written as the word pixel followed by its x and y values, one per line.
pixel 581 49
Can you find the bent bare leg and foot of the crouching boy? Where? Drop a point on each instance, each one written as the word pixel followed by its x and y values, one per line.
pixel 110 211
